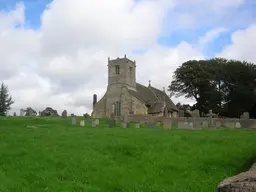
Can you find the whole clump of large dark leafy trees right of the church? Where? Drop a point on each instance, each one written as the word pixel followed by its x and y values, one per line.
pixel 225 86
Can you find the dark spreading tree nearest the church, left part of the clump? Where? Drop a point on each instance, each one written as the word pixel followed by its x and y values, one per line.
pixel 193 80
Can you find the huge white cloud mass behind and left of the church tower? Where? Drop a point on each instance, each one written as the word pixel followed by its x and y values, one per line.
pixel 64 62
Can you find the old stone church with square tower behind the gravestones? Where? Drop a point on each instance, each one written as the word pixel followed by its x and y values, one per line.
pixel 124 96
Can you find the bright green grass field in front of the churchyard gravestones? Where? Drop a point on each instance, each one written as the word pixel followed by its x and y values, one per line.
pixel 56 156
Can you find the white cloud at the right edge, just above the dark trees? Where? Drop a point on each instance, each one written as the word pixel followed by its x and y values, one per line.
pixel 243 45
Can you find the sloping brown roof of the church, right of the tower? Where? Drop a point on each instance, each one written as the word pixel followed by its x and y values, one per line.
pixel 153 97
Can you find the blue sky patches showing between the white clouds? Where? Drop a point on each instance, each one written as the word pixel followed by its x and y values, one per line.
pixel 233 19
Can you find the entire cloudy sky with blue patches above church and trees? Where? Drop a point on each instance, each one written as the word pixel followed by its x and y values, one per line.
pixel 54 53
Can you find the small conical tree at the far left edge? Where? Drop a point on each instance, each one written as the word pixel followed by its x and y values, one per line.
pixel 5 100
